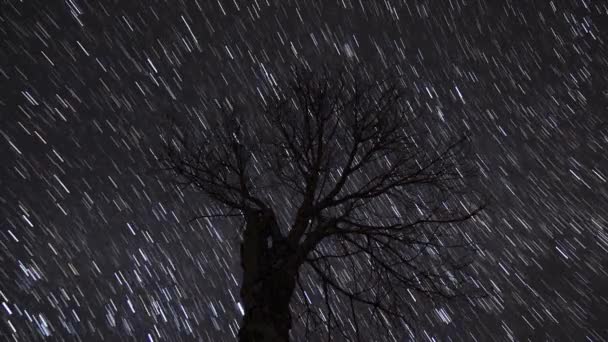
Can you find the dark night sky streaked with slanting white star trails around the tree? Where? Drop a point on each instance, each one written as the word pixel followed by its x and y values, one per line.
pixel 94 246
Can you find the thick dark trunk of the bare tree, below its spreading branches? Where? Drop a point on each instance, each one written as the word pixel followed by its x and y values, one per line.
pixel 269 279
